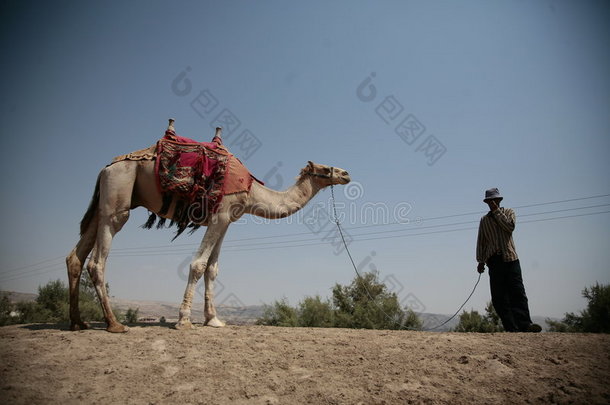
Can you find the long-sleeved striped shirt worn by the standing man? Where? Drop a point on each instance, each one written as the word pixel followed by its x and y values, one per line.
pixel 496 236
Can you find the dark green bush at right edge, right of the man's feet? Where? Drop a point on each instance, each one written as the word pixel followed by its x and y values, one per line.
pixel 594 319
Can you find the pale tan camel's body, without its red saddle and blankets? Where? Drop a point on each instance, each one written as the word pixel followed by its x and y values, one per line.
pixel 128 184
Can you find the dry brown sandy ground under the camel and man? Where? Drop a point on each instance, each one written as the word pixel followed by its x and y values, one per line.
pixel 264 365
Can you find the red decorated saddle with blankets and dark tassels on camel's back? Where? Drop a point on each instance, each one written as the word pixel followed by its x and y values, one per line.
pixel 194 176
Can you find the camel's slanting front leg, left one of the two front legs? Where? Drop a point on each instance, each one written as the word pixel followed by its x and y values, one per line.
pixel 200 265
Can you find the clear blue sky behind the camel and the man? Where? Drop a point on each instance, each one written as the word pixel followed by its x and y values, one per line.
pixel 509 94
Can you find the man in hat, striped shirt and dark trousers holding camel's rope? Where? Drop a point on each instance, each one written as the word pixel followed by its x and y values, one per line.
pixel 496 248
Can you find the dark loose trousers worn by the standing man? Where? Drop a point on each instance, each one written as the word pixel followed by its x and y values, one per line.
pixel 508 294
